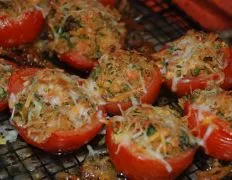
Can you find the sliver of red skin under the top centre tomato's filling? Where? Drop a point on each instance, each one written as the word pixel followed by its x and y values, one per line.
pixel 78 61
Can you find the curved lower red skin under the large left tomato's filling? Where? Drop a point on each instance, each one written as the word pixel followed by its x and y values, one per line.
pixel 64 141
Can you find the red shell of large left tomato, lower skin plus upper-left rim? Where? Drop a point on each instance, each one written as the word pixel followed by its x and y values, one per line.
pixel 59 141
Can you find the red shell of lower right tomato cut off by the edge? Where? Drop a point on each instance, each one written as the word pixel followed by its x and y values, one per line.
pixel 215 134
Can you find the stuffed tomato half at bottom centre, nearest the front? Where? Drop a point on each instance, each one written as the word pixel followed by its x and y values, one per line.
pixel 149 143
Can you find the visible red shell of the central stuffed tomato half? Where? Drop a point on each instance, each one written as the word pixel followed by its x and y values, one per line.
pixel 152 87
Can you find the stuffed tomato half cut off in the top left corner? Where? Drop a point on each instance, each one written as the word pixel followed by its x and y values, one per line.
pixel 20 22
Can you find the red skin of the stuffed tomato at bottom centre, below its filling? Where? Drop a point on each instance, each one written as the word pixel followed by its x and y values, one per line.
pixel 138 168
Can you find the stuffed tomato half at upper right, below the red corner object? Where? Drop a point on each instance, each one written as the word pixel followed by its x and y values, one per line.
pixel 195 61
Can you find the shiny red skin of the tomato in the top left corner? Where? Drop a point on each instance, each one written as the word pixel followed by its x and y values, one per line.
pixel 20 30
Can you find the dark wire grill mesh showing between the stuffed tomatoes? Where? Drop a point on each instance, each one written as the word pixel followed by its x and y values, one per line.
pixel 19 160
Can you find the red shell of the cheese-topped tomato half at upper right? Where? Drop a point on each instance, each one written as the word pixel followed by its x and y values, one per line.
pixel 187 85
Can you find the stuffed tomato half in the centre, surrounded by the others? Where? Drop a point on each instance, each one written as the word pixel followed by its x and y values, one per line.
pixel 122 79
